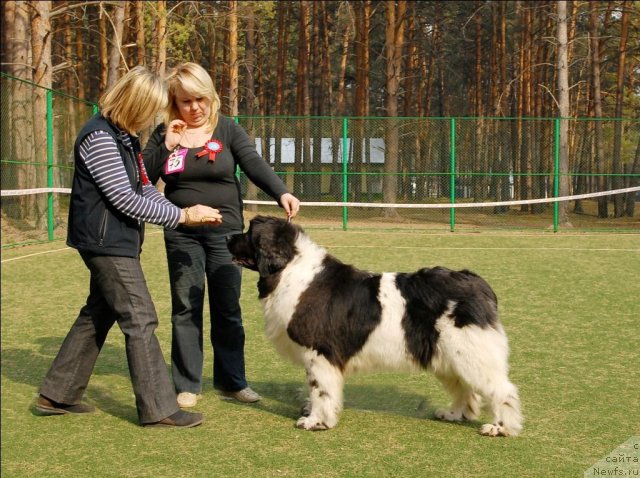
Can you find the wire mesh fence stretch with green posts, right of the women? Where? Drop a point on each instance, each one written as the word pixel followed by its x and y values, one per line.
pixel 443 160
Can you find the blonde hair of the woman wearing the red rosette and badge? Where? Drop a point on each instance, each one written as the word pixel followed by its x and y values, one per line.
pixel 195 81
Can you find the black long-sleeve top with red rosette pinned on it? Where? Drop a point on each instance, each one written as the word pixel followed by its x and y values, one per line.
pixel 213 183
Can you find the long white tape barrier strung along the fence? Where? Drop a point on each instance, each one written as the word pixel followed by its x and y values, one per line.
pixel 22 192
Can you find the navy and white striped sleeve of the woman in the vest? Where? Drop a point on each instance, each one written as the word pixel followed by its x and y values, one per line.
pixel 102 158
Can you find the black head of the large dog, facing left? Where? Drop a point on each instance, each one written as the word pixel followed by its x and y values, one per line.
pixel 266 247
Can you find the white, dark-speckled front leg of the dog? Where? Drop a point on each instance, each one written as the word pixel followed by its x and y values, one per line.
pixel 325 383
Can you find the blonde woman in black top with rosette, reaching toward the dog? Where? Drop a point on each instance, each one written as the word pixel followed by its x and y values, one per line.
pixel 196 152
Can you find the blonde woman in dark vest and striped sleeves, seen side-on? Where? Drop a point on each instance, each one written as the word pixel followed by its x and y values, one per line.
pixel 111 198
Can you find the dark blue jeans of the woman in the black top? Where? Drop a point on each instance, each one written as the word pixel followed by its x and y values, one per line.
pixel 193 254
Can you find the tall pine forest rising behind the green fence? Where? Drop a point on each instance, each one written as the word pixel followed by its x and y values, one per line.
pixel 477 59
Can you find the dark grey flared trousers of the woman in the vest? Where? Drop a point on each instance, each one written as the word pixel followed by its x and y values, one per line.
pixel 117 293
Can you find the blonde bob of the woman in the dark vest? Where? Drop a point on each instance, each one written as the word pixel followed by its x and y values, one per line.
pixel 134 100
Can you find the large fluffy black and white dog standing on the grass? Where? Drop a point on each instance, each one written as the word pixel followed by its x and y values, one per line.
pixel 335 319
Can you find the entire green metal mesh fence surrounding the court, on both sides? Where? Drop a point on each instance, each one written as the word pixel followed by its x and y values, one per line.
pixel 359 165
